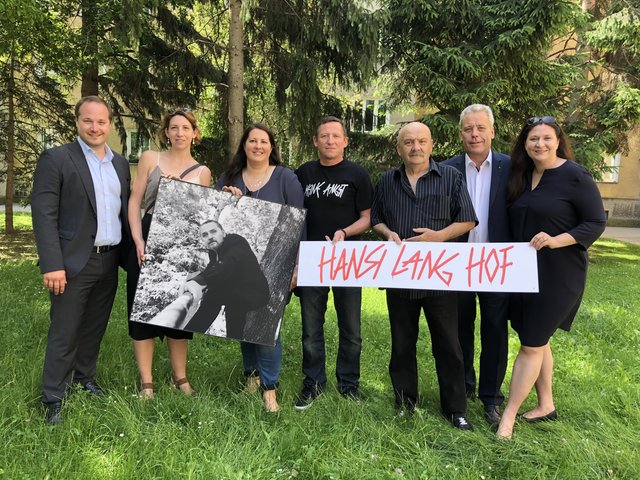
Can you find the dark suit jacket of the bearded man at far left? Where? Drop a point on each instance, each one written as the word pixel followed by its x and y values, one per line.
pixel 64 208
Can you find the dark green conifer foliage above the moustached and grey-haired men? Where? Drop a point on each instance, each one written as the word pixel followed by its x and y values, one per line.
pixel 450 54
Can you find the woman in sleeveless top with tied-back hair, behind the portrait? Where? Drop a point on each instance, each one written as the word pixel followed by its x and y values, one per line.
pixel 179 131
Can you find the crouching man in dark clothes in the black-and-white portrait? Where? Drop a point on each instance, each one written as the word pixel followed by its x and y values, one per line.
pixel 232 278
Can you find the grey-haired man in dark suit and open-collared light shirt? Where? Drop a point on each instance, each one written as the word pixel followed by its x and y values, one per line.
pixel 486 173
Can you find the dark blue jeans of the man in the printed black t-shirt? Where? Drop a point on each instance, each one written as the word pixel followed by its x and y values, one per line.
pixel 313 305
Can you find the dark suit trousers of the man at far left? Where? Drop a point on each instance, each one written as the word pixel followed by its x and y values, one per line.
pixel 78 321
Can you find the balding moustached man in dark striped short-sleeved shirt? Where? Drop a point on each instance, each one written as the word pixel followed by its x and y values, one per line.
pixel 423 201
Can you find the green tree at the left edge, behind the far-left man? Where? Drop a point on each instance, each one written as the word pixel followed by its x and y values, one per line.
pixel 34 42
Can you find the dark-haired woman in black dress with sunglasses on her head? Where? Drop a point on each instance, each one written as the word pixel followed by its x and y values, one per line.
pixel 554 205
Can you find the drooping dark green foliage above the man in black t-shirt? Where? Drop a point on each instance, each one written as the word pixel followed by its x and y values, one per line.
pixel 308 48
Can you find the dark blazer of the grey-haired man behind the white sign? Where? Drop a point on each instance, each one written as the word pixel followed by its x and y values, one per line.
pixel 498 217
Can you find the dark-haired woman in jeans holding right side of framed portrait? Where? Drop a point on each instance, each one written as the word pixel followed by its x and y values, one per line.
pixel 255 170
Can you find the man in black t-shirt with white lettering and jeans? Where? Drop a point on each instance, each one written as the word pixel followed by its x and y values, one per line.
pixel 337 195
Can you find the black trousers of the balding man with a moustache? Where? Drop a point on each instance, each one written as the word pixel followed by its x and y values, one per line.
pixel 441 314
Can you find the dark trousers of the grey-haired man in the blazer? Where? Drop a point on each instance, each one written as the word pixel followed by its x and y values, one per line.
pixel 494 342
